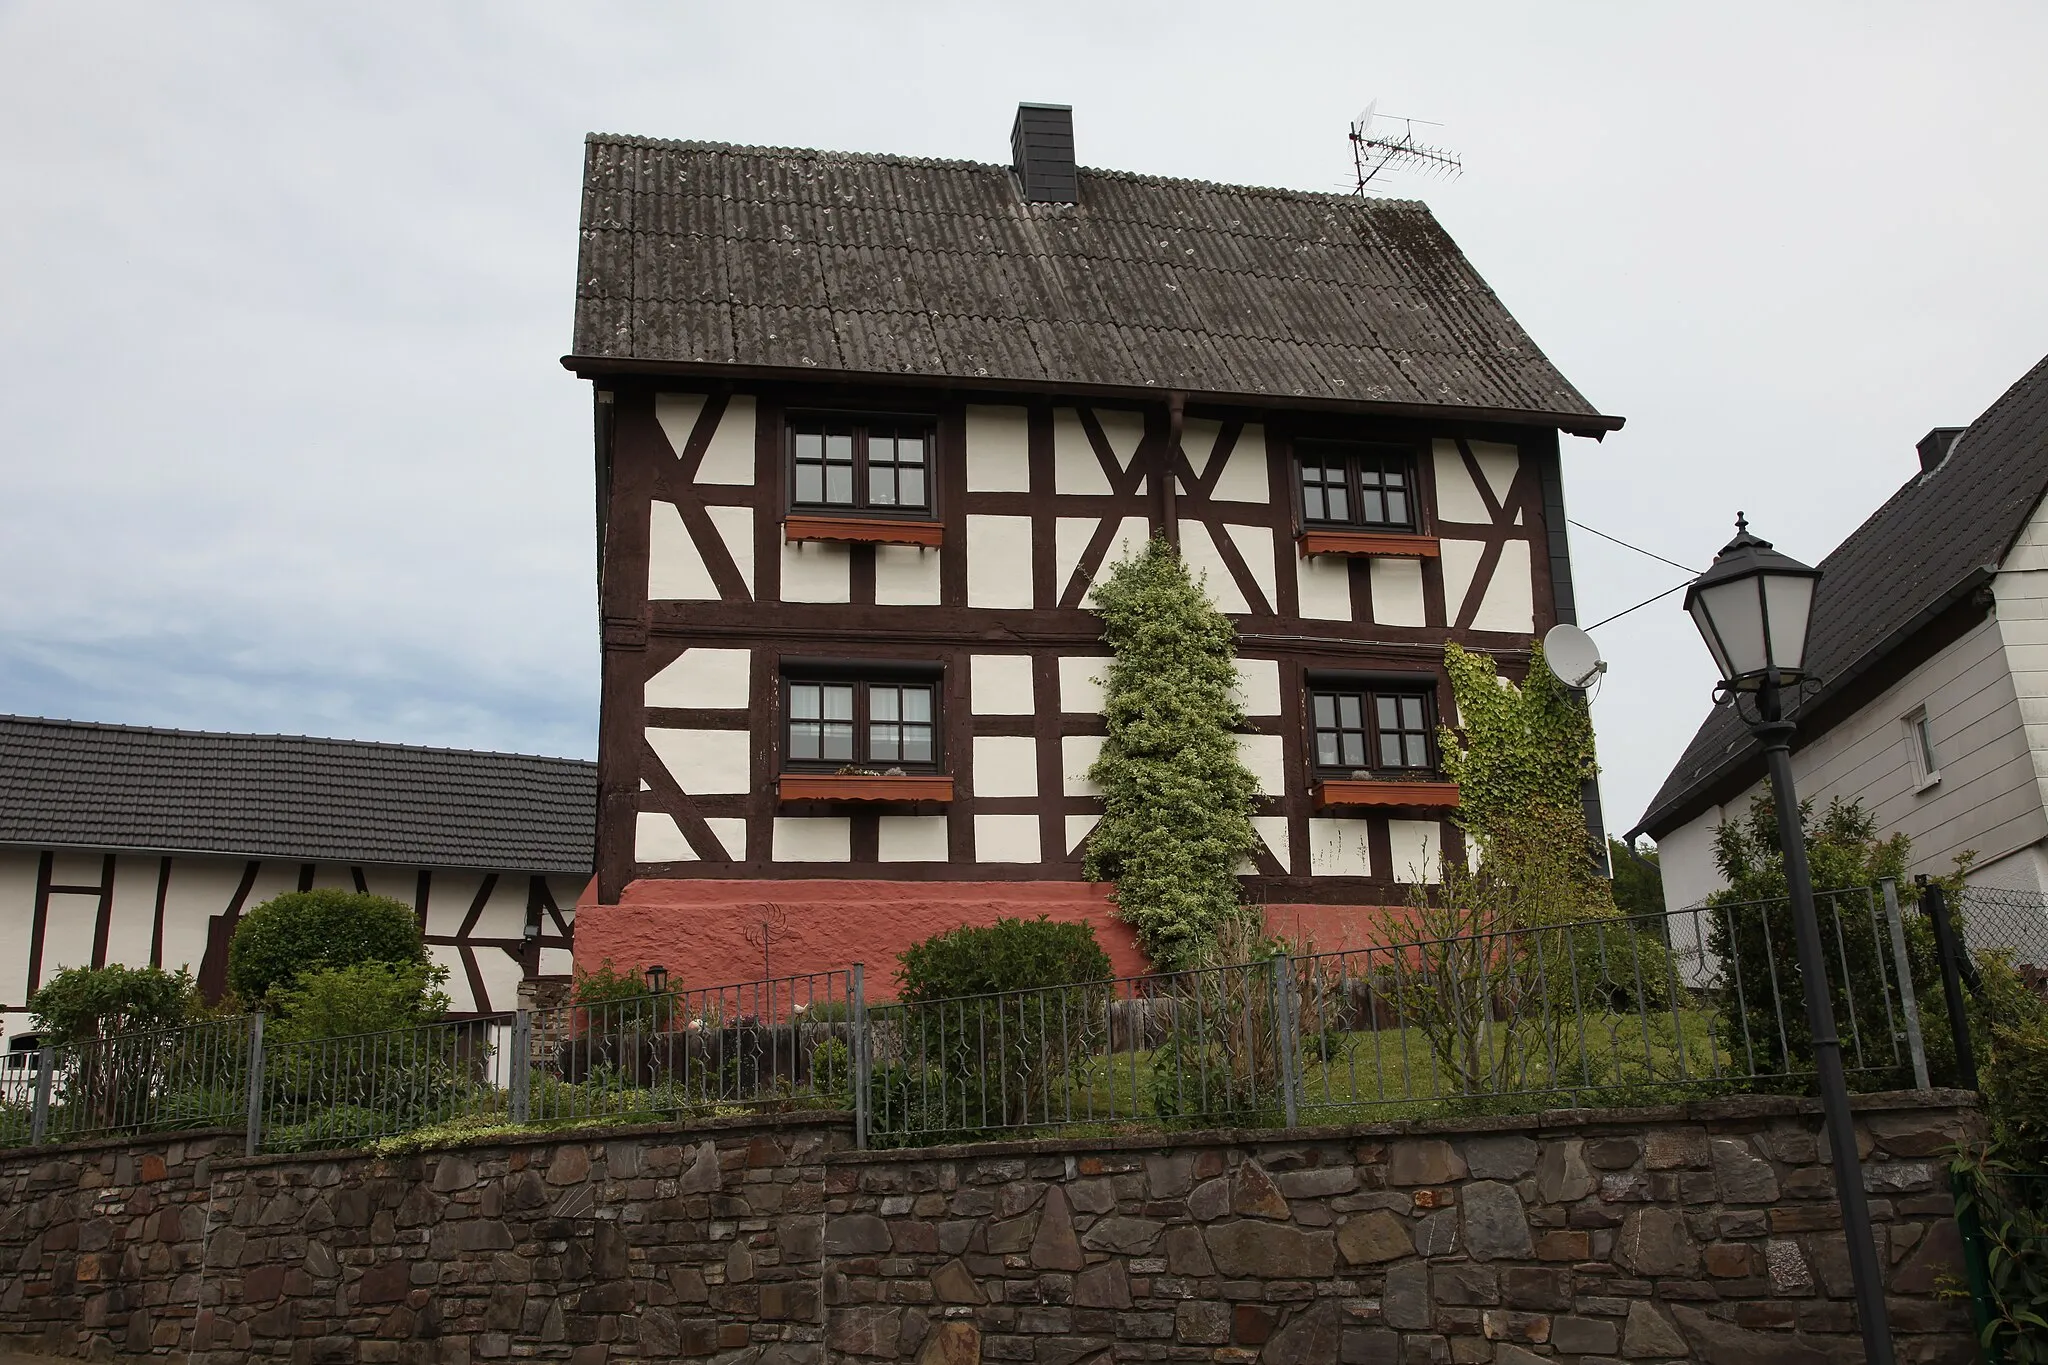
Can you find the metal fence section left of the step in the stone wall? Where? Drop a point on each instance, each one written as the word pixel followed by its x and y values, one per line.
pixel 785 1043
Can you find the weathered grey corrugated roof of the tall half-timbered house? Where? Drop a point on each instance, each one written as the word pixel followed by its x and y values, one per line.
pixel 830 265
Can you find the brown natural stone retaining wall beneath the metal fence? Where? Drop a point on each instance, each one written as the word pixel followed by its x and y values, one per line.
pixel 1703 1233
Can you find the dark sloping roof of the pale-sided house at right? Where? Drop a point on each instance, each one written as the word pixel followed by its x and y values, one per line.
pixel 1926 549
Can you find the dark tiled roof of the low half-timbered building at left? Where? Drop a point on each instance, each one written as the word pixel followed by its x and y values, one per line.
pixel 118 787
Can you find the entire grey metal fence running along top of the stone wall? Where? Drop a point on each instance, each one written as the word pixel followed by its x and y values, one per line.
pixel 1658 1008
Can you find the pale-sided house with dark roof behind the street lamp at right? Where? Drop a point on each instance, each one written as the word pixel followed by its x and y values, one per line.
pixel 1930 646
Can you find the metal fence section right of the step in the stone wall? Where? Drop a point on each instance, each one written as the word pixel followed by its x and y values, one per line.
pixel 1605 1012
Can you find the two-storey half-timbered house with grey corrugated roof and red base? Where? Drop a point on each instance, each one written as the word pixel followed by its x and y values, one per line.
pixel 869 431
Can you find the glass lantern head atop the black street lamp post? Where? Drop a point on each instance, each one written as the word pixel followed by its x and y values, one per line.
pixel 1754 609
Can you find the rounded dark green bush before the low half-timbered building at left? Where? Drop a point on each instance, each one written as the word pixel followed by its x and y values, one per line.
pixel 310 930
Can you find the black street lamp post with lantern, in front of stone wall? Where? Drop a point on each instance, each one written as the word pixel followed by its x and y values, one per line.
pixel 1754 609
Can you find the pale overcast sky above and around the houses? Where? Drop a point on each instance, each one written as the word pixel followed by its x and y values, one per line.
pixel 286 443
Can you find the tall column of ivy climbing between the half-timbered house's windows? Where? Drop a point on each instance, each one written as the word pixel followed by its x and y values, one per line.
pixel 1177 799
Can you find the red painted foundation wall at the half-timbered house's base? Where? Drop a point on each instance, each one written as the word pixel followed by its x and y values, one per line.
pixel 699 928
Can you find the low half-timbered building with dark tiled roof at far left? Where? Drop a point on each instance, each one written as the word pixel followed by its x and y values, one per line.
pixel 136 846
